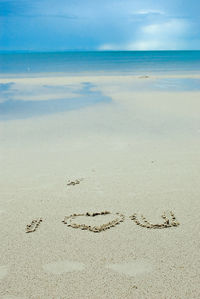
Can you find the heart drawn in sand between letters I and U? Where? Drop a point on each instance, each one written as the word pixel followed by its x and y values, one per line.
pixel 94 225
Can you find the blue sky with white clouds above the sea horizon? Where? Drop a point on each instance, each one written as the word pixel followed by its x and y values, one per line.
pixel 57 25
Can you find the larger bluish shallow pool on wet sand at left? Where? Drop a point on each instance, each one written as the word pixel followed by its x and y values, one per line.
pixel 16 103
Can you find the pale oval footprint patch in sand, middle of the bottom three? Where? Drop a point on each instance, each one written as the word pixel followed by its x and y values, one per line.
pixel 63 267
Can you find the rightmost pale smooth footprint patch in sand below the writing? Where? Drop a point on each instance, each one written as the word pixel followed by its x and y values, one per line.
pixel 133 268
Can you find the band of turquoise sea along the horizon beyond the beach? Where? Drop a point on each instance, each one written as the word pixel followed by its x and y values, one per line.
pixel 135 62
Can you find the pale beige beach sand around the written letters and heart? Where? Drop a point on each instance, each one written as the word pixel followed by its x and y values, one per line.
pixel 138 153
